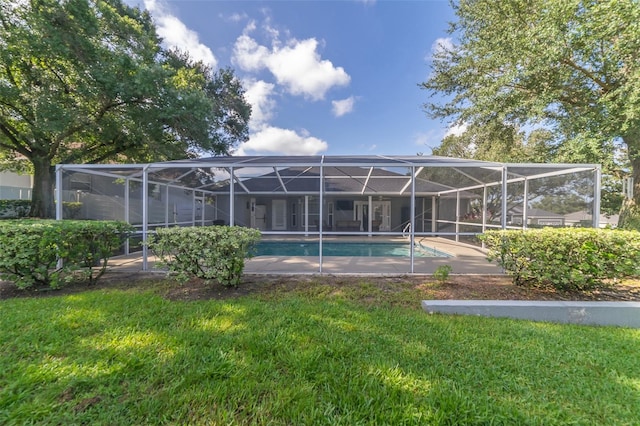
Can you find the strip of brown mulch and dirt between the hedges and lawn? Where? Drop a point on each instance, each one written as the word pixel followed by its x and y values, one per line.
pixel 456 287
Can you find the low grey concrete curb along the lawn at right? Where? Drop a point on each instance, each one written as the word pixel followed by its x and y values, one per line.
pixel 622 314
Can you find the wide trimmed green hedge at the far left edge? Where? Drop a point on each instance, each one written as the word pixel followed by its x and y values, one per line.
pixel 30 250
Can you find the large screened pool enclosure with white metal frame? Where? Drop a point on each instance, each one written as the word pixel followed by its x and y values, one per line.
pixel 322 198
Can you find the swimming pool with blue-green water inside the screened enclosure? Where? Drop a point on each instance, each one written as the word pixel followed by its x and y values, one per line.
pixel 332 248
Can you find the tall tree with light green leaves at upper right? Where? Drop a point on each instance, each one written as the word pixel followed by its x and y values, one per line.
pixel 571 67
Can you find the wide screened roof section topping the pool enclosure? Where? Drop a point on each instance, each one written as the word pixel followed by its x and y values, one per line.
pixel 377 174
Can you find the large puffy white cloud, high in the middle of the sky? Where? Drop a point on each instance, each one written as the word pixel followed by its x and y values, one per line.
pixel 297 66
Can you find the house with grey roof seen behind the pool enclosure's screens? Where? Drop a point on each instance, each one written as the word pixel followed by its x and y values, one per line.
pixel 355 199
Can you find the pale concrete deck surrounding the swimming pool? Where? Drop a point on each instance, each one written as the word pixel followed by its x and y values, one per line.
pixel 465 259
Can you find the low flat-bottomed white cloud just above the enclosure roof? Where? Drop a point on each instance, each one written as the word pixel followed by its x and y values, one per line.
pixel 274 140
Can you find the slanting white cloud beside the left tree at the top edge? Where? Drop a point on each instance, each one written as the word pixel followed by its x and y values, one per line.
pixel 176 34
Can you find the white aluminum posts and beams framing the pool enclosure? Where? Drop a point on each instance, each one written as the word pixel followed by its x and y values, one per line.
pixel 509 173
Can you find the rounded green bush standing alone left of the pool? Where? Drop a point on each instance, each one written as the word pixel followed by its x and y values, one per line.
pixel 211 253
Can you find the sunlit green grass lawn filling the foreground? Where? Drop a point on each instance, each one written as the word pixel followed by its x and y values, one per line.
pixel 360 355
